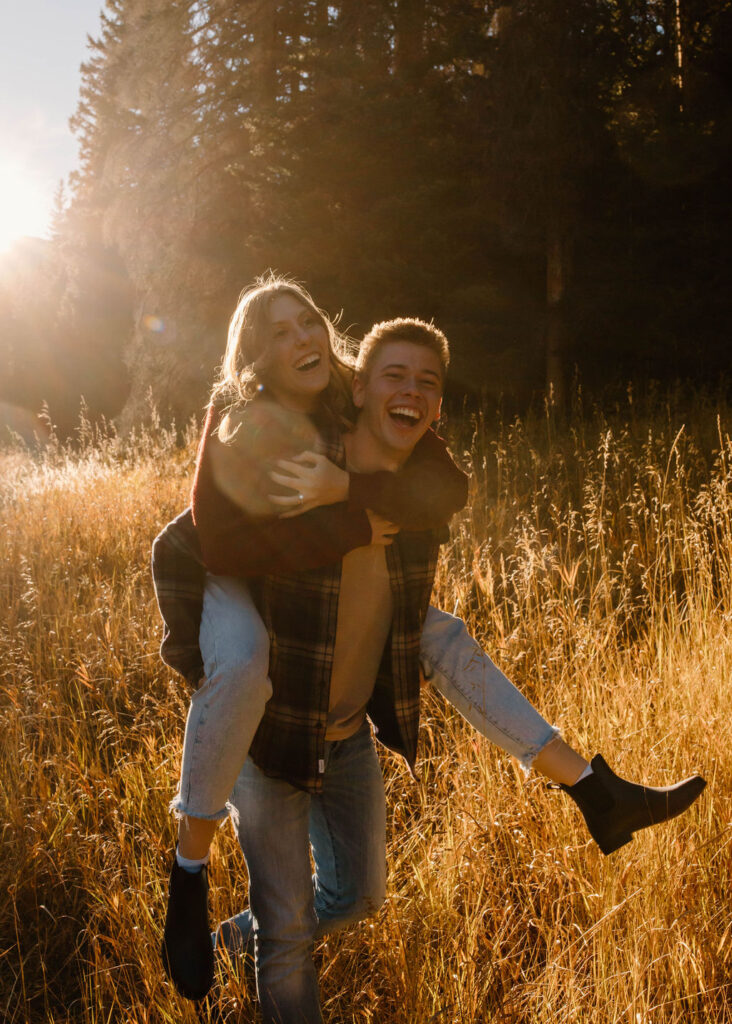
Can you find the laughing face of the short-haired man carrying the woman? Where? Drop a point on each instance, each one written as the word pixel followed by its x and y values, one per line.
pixel 401 398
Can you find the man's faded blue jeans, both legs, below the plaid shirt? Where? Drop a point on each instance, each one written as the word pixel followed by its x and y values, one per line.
pixel 346 827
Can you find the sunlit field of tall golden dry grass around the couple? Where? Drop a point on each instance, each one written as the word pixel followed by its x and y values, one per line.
pixel 595 565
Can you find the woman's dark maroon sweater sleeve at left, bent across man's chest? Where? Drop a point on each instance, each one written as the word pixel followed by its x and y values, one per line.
pixel 235 543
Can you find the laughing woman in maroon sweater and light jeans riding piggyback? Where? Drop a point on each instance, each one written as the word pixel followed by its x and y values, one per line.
pixel 285 380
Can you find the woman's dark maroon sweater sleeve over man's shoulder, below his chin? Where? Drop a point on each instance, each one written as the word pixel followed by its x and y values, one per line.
pixel 423 495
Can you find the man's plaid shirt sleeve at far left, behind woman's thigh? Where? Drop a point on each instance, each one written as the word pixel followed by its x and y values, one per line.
pixel 180 579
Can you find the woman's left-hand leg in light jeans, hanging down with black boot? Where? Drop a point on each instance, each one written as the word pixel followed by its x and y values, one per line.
pixel 224 716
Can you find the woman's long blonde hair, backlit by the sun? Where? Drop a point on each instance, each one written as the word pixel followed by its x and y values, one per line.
pixel 244 369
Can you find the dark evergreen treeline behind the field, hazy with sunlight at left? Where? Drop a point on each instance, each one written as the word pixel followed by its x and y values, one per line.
pixel 548 180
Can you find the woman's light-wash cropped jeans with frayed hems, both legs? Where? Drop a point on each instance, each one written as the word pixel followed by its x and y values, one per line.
pixel 226 711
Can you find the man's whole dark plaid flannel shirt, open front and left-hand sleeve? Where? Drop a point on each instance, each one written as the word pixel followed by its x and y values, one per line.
pixel 300 612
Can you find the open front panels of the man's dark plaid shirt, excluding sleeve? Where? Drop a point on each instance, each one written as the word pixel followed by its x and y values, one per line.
pixel 300 611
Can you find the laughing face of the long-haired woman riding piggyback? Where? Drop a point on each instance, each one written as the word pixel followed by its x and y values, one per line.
pixel 298 369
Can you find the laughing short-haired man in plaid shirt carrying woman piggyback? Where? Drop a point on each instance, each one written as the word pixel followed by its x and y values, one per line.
pixel 347 645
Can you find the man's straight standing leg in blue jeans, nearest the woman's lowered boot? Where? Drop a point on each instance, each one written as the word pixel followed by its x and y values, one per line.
pixel 274 821
